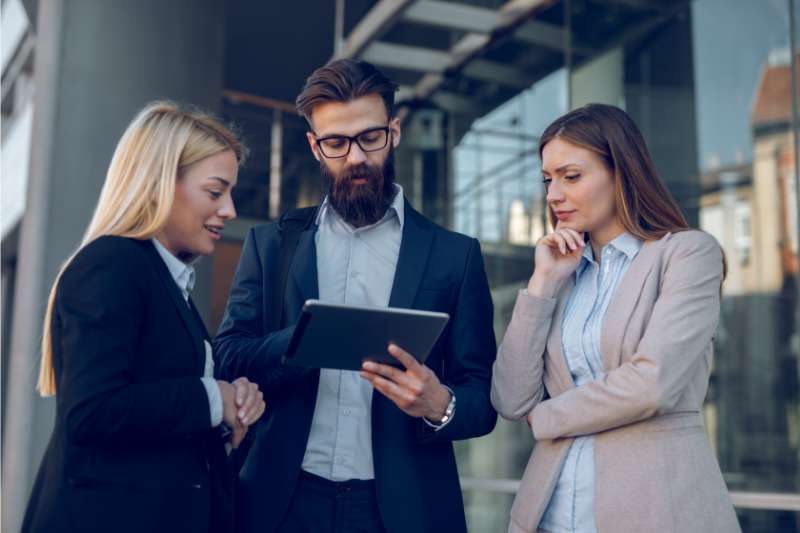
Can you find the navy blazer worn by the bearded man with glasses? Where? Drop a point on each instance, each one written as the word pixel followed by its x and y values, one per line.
pixel 415 469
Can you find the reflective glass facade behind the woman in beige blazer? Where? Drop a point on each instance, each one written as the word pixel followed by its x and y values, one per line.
pixel 709 85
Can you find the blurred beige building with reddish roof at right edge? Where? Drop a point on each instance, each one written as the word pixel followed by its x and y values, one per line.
pixel 751 208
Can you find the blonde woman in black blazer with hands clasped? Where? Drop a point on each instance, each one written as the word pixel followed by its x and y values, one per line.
pixel 137 444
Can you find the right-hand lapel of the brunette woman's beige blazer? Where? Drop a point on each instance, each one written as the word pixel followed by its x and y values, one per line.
pixel 623 302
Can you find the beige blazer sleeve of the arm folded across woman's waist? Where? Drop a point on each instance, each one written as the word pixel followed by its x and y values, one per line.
pixel 679 331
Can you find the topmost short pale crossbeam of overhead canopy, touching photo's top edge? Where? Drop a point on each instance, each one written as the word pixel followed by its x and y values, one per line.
pixel 452 15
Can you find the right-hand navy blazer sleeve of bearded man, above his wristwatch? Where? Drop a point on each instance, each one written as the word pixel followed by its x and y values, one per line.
pixel 468 363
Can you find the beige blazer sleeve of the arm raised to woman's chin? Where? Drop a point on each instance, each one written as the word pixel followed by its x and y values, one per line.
pixel 517 379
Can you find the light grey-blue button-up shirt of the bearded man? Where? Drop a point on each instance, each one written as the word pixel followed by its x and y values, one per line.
pixel 354 266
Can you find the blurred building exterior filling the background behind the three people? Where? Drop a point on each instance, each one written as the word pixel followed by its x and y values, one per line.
pixel 710 83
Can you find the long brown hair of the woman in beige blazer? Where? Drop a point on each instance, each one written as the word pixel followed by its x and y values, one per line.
pixel 644 206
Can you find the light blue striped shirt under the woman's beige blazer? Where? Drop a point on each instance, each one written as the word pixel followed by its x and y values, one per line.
pixel 571 508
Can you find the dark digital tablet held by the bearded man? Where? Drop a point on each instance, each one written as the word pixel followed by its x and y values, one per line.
pixel 344 336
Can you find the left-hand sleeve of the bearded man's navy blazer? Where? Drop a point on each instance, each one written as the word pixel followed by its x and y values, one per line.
pixel 241 345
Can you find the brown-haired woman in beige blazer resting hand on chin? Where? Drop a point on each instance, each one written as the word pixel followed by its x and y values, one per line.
pixel 609 349
